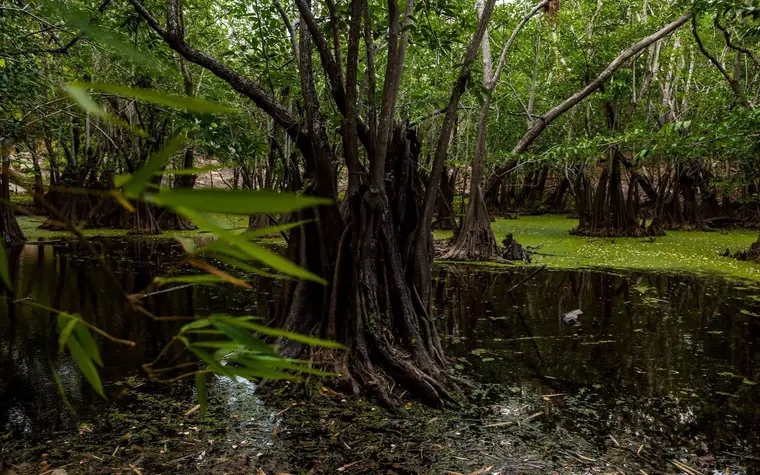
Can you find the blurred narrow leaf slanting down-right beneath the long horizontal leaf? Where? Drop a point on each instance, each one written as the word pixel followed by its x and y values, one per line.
pixel 253 251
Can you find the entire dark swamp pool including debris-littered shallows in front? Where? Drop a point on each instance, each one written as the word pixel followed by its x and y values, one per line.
pixel 658 370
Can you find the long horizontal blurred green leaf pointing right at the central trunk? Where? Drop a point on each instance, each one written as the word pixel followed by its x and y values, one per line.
pixel 243 202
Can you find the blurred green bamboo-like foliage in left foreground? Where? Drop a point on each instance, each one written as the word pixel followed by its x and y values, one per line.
pixel 224 345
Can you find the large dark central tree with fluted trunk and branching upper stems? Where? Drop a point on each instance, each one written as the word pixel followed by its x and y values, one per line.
pixel 377 262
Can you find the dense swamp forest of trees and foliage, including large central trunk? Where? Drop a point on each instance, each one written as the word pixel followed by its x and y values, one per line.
pixel 637 117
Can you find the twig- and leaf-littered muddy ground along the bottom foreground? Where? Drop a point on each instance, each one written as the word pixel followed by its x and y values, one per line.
pixel 146 432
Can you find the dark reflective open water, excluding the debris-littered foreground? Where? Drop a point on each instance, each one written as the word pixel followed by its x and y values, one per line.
pixel 668 360
